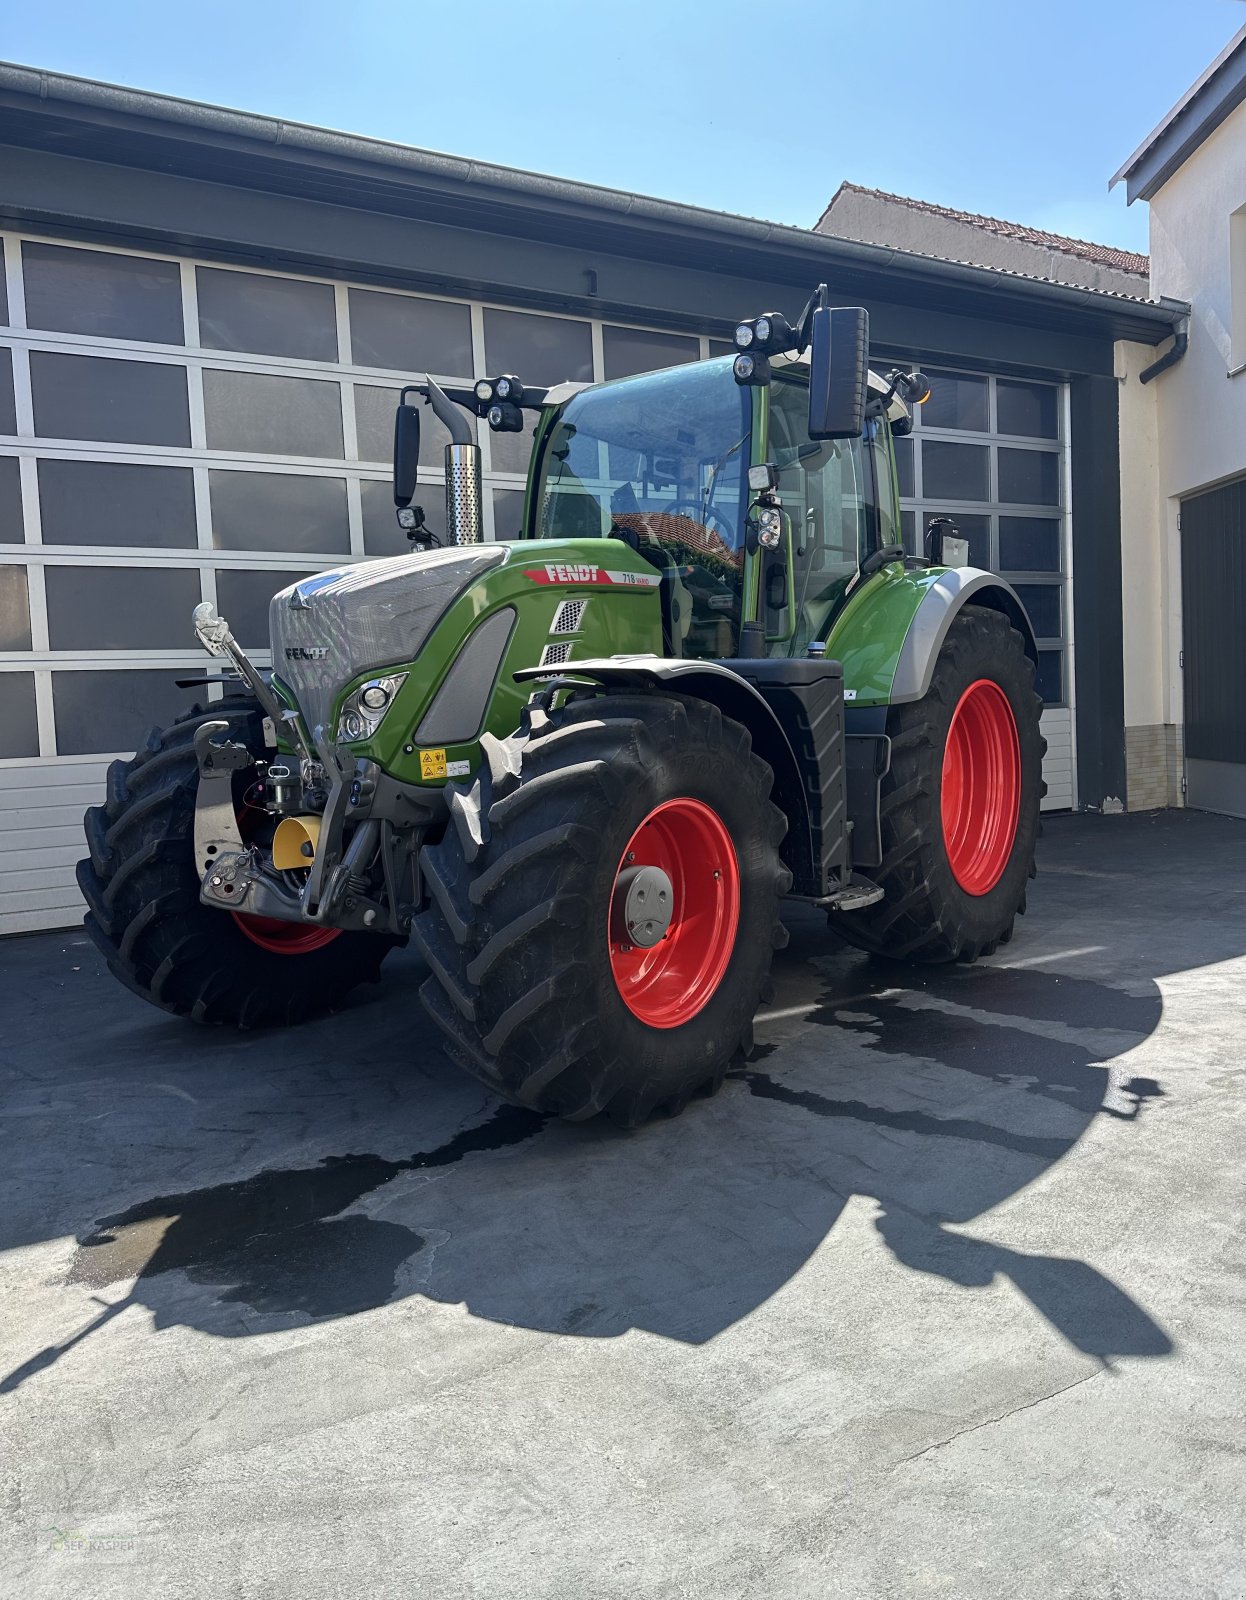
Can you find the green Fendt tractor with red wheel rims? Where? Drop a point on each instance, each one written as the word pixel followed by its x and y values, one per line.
pixel 586 769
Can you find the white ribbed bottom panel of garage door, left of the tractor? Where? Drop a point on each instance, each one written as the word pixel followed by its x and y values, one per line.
pixel 41 841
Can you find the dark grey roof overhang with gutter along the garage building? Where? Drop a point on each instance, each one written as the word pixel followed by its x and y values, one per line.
pixel 124 127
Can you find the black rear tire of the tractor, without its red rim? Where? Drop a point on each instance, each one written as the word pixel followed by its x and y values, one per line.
pixel 925 914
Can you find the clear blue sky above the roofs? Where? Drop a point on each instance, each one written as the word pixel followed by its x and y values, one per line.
pixel 1015 108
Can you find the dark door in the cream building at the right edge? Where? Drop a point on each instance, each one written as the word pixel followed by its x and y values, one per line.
pixel 1213 580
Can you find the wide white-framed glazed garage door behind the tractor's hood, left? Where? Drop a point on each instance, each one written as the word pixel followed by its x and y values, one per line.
pixel 177 431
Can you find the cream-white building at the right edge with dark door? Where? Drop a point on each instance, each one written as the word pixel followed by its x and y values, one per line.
pixel 1184 466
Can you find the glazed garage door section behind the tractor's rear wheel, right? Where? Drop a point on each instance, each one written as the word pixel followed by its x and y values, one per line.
pixel 991 454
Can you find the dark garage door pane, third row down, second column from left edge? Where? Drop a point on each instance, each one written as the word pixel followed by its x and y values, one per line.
pixel 114 503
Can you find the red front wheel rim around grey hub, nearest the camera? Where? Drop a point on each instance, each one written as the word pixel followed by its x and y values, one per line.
pixel 676 978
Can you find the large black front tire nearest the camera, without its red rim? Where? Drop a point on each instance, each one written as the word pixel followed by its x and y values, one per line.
pixel 521 886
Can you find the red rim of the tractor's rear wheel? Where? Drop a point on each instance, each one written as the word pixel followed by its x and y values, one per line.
pixel 981 788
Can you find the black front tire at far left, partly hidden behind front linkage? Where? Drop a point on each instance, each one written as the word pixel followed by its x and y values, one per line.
pixel 145 913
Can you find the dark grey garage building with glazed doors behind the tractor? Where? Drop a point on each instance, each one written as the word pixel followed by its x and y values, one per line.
pixel 204 329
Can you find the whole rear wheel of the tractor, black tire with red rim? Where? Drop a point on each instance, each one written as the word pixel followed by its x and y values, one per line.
pixel 927 913
